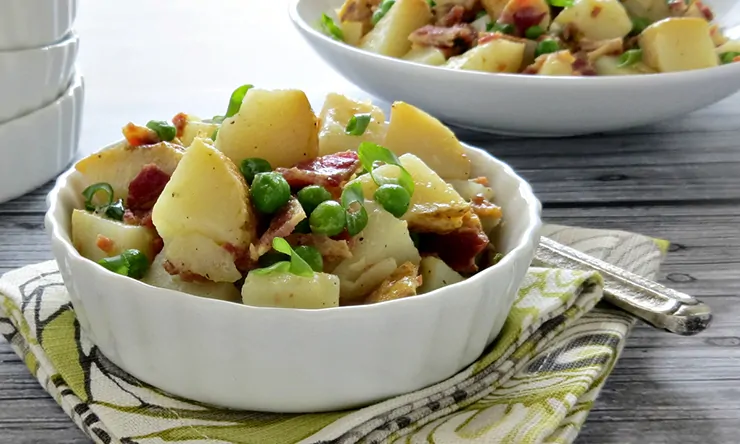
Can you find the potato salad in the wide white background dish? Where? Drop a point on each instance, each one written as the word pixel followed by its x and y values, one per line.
pixel 538 37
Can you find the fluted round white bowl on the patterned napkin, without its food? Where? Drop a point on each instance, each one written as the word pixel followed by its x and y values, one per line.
pixel 285 360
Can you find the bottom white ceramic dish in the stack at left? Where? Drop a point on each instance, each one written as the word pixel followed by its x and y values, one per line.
pixel 36 147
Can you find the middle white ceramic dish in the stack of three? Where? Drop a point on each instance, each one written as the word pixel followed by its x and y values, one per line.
pixel 32 78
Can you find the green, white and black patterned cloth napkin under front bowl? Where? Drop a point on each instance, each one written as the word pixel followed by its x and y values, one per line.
pixel 536 384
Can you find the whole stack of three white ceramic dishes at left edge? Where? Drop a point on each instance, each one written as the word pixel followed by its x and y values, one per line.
pixel 41 94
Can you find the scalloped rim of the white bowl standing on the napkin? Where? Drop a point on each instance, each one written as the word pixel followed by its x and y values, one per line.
pixel 528 237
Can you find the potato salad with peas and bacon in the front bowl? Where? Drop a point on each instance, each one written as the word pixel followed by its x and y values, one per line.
pixel 272 206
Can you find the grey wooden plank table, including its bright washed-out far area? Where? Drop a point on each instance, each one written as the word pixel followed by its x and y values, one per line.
pixel 679 180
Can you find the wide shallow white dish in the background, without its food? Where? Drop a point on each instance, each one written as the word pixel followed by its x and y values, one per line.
pixel 516 104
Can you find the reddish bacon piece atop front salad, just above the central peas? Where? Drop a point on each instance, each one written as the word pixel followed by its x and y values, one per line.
pixel 331 171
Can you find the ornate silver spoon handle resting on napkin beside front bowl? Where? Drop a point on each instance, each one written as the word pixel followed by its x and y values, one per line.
pixel 650 301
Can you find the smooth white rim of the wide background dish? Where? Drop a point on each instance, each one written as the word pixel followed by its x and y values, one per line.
pixel 593 81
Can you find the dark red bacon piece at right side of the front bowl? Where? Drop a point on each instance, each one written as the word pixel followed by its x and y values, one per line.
pixel 459 248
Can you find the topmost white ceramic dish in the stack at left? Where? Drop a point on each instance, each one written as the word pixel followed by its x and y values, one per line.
pixel 34 23
